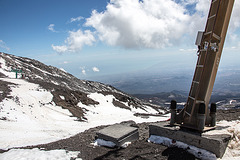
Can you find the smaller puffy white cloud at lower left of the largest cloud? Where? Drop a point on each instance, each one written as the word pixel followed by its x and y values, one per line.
pixel 76 41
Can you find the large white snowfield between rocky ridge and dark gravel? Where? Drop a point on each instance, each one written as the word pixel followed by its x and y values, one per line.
pixel 31 118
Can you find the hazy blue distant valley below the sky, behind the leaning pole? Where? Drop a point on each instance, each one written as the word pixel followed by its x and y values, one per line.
pixel 161 89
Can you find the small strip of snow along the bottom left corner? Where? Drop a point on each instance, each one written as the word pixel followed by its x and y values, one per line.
pixel 37 154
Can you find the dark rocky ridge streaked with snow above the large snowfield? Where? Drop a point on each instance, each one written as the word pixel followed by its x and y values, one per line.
pixel 63 84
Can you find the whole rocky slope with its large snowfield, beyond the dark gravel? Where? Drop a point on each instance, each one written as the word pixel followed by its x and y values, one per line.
pixel 45 104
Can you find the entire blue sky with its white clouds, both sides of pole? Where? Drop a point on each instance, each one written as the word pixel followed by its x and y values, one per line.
pixel 101 37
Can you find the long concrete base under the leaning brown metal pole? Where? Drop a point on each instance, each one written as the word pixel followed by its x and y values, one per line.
pixel 216 144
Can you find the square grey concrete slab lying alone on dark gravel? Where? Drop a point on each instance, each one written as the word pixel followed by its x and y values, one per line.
pixel 118 134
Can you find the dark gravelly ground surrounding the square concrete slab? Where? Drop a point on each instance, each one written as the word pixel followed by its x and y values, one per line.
pixel 138 150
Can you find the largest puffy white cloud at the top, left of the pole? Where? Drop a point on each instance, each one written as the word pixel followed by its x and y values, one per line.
pixel 140 24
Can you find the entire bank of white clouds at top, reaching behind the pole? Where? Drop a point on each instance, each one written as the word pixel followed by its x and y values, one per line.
pixel 144 23
